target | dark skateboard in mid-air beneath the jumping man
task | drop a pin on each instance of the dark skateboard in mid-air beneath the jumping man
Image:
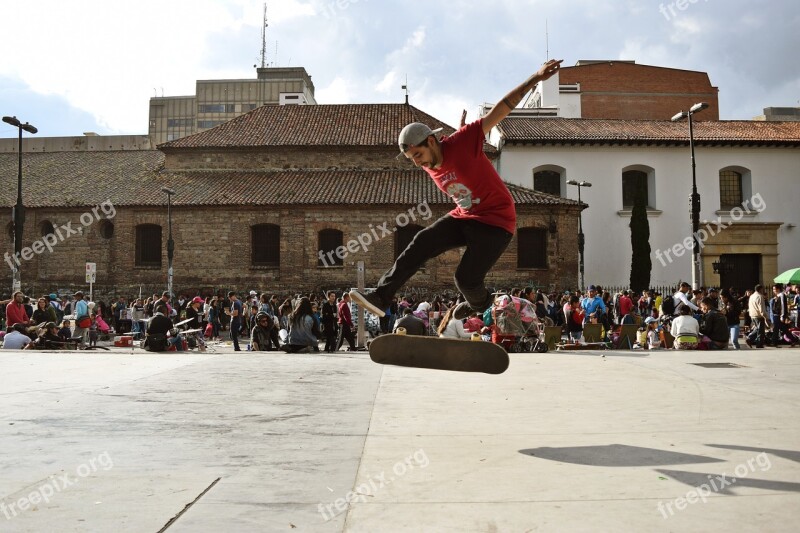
(439, 354)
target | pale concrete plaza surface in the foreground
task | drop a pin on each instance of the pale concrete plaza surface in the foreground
(123, 441)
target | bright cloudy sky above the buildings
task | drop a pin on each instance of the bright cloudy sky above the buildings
(92, 65)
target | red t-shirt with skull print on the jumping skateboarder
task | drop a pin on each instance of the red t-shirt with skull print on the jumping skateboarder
(468, 177)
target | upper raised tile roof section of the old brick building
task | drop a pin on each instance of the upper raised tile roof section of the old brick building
(311, 125)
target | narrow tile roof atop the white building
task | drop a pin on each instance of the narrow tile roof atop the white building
(531, 130)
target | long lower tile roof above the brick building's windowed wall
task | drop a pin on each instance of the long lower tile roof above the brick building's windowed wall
(135, 178)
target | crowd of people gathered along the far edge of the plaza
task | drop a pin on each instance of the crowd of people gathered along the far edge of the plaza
(699, 319)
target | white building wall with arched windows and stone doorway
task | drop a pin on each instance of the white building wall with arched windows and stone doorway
(775, 175)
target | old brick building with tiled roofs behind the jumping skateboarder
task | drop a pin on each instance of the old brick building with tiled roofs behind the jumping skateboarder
(261, 202)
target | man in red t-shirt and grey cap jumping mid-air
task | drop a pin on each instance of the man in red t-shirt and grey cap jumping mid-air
(484, 219)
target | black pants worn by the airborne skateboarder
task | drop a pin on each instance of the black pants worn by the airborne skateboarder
(485, 244)
